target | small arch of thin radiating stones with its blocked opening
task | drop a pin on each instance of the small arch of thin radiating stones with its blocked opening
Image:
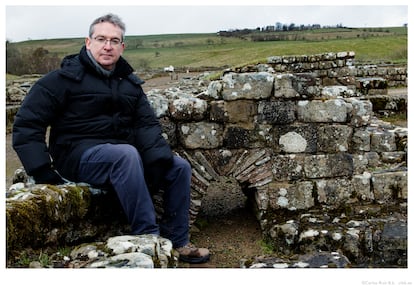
(224, 179)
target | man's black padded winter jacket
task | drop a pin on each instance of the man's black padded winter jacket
(84, 109)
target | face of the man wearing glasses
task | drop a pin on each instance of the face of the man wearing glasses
(106, 44)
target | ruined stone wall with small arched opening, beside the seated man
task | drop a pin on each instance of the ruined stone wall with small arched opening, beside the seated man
(306, 146)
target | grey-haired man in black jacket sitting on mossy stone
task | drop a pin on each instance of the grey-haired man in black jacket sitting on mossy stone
(103, 131)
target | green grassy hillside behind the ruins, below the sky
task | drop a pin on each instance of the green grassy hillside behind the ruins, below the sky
(200, 51)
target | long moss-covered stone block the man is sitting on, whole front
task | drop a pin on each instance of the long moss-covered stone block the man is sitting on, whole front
(40, 215)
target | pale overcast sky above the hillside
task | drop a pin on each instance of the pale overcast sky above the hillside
(25, 22)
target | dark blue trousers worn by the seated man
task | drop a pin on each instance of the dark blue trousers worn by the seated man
(121, 166)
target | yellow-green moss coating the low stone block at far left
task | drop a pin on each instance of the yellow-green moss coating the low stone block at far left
(30, 221)
